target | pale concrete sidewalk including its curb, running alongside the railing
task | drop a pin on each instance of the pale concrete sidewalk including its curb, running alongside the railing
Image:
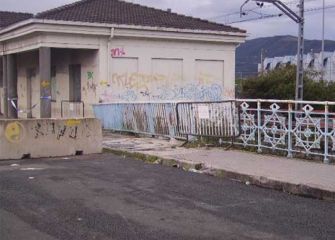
(290, 175)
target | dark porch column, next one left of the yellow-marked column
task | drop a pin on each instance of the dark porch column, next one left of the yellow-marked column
(12, 86)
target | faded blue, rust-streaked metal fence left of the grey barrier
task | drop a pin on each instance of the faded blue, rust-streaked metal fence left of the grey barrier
(144, 118)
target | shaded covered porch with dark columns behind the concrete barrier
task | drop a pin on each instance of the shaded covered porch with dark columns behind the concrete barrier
(48, 82)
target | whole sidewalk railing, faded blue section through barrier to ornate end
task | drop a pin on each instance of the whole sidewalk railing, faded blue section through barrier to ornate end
(295, 128)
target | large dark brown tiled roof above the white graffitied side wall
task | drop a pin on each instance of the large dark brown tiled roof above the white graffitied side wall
(121, 12)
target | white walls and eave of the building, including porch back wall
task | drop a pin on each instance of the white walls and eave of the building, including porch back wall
(127, 69)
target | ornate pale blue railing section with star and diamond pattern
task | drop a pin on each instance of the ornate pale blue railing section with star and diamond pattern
(306, 128)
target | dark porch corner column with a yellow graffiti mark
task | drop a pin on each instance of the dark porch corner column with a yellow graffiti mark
(45, 78)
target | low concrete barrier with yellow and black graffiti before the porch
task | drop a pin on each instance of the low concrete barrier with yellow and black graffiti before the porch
(49, 137)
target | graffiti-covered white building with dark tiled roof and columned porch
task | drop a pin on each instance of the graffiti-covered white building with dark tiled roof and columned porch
(97, 51)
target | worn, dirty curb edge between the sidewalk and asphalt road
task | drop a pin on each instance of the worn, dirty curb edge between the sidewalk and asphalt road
(295, 189)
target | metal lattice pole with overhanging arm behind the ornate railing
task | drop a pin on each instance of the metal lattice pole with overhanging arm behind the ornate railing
(299, 19)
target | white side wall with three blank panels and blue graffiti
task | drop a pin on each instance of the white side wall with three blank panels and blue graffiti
(143, 70)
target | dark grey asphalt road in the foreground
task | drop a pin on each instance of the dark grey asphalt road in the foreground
(110, 197)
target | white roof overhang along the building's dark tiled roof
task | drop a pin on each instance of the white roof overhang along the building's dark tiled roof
(114, 30)
